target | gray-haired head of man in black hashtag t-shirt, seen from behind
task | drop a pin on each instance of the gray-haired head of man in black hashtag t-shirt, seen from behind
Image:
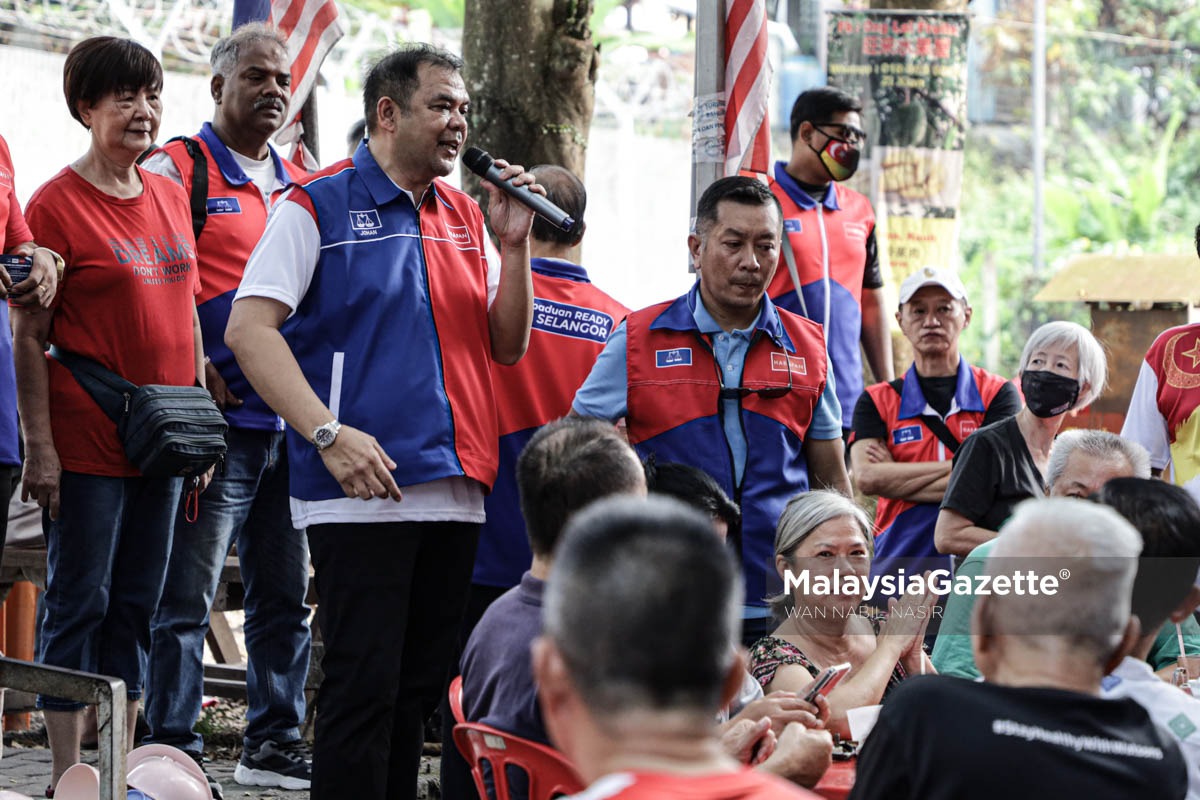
(1091, 609)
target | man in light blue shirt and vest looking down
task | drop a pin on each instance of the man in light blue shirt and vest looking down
(727, 382)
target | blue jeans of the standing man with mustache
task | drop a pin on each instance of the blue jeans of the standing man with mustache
(248, 504)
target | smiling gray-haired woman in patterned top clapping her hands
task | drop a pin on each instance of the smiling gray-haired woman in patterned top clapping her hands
(825, 538)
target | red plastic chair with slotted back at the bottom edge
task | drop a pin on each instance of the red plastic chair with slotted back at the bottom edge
(550, 774)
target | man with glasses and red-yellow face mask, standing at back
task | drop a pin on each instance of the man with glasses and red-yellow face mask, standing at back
(830, 242)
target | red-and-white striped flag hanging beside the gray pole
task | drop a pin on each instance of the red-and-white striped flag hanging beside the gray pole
(747, 88)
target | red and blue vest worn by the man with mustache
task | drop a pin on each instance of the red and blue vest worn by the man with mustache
(237, 216)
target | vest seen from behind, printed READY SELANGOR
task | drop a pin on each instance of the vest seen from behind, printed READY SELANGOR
(572, 322)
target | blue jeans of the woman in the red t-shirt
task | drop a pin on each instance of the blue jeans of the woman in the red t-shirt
(106, 562)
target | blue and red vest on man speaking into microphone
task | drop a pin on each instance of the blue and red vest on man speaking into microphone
(393, 332)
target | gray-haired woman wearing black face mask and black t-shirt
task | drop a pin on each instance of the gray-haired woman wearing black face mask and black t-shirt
(1063, 370)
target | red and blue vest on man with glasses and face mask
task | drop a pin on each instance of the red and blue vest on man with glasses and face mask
(830, 243)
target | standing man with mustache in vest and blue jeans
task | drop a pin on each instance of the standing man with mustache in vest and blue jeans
(231, 179)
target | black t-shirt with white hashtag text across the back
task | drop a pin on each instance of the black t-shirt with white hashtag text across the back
(941, 738)
